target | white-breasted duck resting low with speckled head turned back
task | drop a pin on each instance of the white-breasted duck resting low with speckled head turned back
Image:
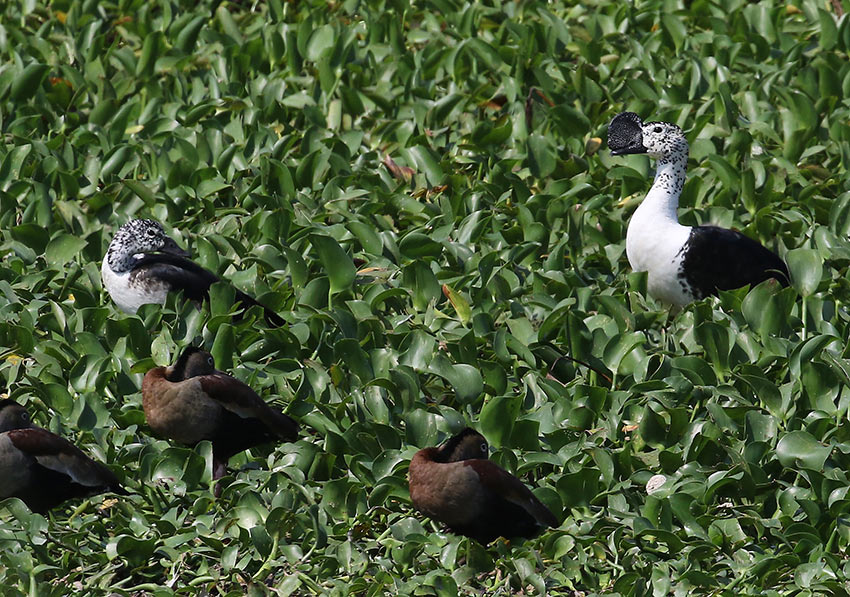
(143, 264)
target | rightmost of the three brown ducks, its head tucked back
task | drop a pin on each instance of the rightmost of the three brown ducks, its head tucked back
(456, 484)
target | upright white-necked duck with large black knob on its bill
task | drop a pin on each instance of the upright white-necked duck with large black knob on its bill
(684, 263)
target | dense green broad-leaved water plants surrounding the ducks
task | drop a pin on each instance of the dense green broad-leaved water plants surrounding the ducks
(419, 189)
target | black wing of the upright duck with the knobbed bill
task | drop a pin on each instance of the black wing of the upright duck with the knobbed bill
(716, 258)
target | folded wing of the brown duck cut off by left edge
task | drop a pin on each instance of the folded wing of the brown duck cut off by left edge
(59, 455)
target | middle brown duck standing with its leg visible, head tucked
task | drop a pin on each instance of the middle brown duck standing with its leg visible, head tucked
(191, 401)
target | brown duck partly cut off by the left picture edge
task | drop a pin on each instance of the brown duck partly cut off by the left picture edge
(43, 469)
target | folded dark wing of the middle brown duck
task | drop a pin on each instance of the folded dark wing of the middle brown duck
(241, 400)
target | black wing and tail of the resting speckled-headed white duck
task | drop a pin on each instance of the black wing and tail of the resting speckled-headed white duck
(183, 274)
